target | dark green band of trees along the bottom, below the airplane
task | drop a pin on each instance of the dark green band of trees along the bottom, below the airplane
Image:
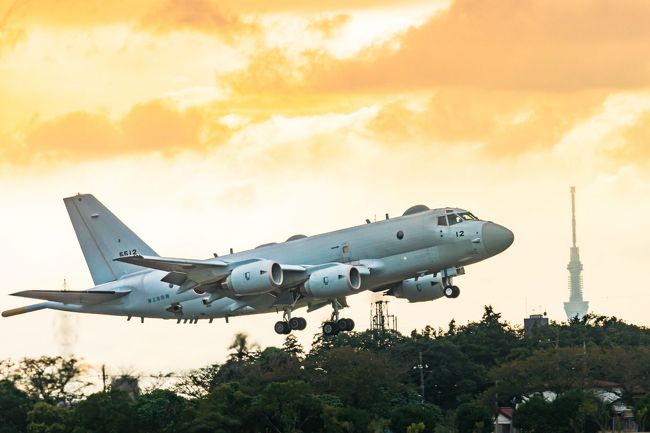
(360, 382)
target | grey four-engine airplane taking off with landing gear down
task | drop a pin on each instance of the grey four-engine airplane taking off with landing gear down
(415, 257)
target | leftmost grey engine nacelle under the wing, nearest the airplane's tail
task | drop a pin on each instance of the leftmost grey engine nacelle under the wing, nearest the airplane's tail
(255, 278)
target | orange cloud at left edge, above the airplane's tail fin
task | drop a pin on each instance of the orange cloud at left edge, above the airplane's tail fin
(151, 127)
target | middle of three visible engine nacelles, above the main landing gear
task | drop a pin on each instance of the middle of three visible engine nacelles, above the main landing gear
(332, 282)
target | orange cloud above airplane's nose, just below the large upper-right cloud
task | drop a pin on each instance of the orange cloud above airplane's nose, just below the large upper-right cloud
(499, 123)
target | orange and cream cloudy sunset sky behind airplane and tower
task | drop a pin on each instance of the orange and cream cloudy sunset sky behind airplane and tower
(206, 125)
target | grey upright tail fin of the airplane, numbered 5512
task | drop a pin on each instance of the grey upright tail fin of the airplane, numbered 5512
(103, 237)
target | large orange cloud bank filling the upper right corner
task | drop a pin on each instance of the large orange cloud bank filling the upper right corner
(497, 44)
